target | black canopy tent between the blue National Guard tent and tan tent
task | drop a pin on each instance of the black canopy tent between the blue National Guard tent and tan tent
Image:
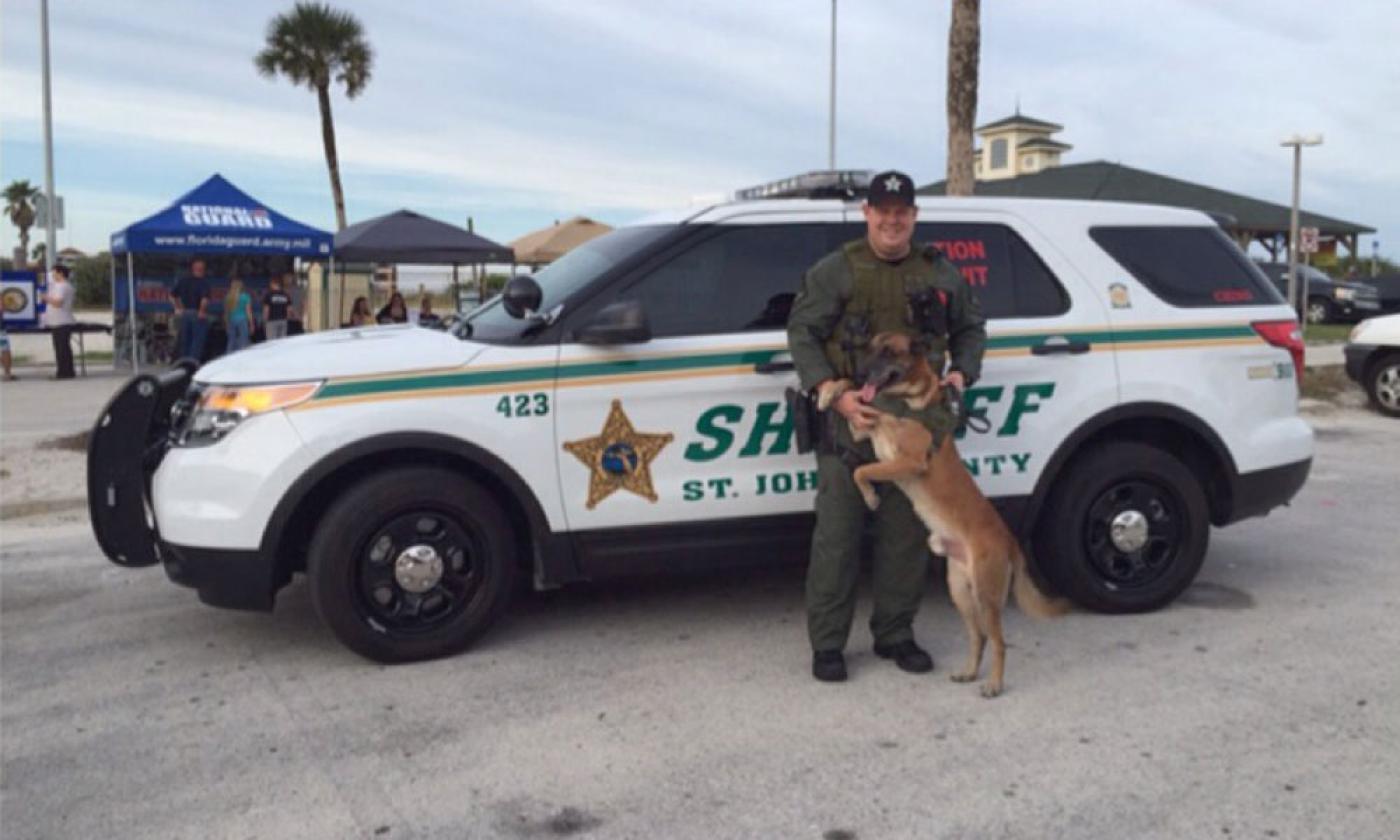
(408, 237)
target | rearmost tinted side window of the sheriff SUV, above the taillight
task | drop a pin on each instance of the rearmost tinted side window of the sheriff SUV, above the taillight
(1188, 267)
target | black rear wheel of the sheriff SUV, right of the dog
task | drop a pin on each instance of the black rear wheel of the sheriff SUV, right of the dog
(1126, 530)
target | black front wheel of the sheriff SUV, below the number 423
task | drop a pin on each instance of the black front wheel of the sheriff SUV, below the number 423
(412, 563)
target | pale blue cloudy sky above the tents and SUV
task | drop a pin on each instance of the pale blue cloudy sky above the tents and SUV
(517, 114)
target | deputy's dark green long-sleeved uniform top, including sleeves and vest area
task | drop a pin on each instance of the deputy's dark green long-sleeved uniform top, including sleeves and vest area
(853, 282)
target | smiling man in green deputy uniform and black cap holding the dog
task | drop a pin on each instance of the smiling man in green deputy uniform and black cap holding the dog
(881, 283)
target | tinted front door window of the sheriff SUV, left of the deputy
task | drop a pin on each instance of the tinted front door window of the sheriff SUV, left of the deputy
(741, 279)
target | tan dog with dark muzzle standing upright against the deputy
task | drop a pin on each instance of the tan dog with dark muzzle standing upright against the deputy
(985, 562)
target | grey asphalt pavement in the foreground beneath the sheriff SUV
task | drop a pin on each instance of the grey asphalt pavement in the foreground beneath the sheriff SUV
(1265, 703)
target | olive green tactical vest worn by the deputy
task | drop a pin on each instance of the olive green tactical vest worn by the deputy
(885, 297)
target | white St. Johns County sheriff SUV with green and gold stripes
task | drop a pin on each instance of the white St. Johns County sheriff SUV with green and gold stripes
(624, 414)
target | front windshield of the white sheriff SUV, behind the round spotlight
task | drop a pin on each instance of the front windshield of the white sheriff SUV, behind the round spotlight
(562, 279)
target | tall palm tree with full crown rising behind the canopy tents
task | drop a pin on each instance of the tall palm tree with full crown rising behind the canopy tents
(316, 45)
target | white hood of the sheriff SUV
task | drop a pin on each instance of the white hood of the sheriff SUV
(341, 353)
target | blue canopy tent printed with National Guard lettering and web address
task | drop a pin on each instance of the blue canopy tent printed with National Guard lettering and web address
(213, 219)
